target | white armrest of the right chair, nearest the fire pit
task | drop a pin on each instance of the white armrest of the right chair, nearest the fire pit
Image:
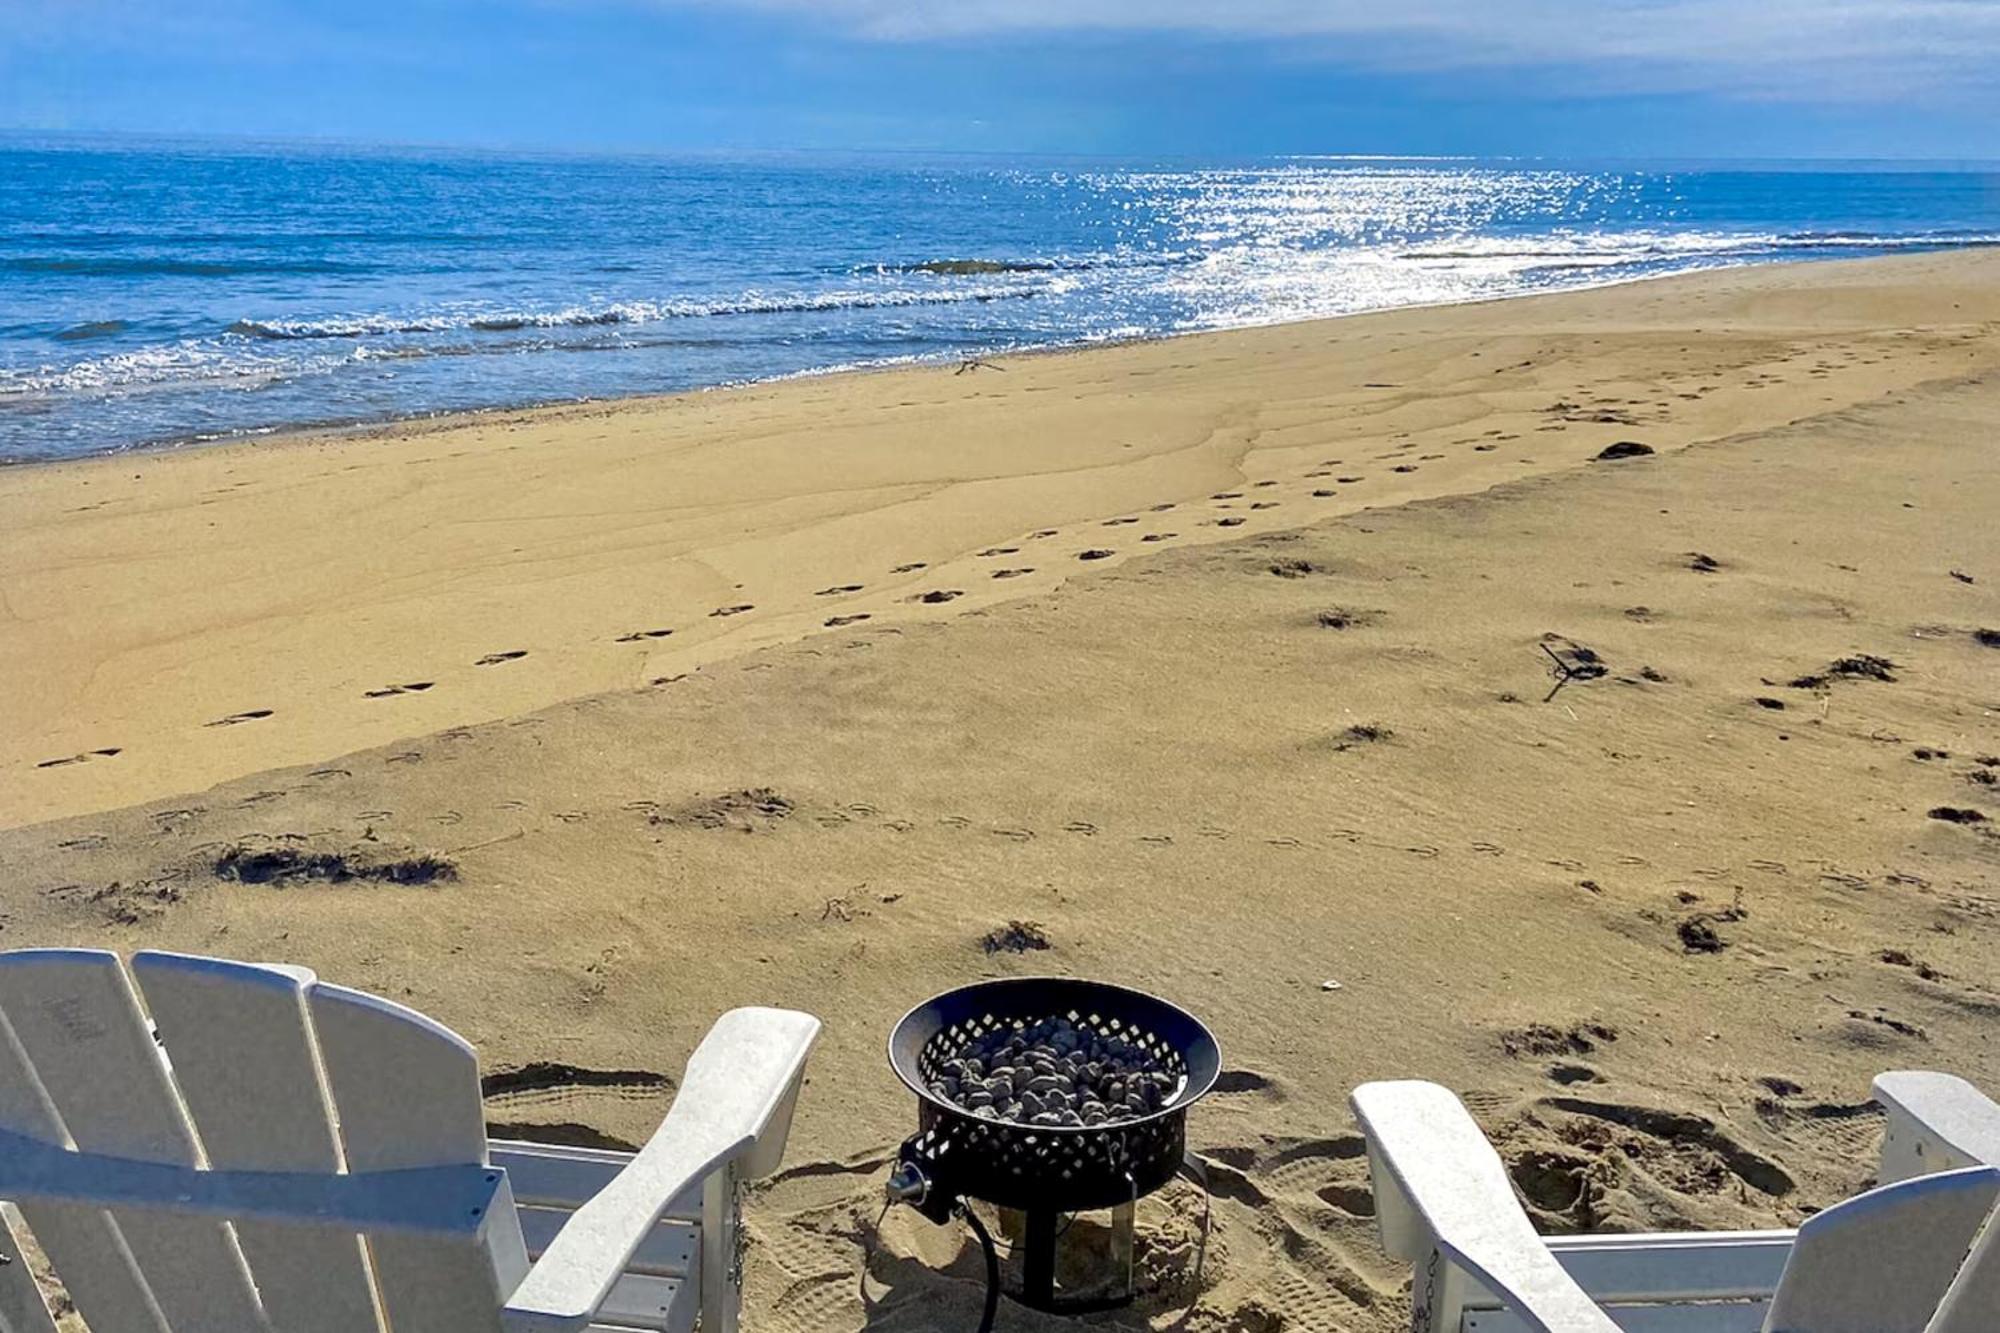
(1441, 1188)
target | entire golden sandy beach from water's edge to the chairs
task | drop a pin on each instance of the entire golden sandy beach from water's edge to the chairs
(1659, 930)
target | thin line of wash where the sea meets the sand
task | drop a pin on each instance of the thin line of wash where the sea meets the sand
(373, 427)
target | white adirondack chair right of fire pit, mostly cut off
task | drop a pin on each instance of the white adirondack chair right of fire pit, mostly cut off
(1917, 1256)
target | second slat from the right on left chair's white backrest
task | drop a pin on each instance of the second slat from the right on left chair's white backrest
(243, 1056)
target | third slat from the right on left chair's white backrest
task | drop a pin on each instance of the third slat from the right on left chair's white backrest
(81, 1028)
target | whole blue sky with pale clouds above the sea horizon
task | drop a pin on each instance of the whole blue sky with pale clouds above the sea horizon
(1577, 79)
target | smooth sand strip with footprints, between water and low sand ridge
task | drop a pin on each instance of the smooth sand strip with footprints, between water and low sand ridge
(185, 617)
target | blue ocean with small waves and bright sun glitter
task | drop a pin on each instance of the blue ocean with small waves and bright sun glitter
(161, 293)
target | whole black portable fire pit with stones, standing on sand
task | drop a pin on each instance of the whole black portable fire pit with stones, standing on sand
(1047, 1098)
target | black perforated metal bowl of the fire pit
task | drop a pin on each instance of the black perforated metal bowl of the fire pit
(1049, 1168)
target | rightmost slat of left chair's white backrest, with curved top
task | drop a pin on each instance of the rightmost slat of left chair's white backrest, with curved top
(407, 1094)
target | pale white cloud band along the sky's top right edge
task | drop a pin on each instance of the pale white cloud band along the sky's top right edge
(1833, 49)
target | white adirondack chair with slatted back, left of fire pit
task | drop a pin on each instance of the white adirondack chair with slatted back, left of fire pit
(279, 1156)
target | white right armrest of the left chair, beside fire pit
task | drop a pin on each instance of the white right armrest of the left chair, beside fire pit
(735, 1104)
